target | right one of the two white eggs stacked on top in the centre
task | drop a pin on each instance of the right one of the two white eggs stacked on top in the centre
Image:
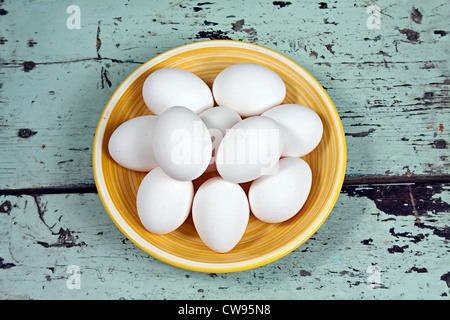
(250, 149)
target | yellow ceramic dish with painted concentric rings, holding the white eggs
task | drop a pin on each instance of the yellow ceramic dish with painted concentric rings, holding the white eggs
(262, 242)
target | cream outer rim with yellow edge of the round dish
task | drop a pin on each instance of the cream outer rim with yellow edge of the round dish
(186, 263)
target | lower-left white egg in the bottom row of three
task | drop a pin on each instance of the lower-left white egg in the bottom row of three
(163, 204)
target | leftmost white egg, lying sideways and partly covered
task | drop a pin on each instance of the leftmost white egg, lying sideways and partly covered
(130, 145)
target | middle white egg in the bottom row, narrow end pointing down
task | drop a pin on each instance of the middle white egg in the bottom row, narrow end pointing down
(220, 213)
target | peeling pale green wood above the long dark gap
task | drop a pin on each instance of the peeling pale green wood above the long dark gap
(390, 85)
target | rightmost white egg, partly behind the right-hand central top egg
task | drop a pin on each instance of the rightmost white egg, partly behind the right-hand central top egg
(302, 128)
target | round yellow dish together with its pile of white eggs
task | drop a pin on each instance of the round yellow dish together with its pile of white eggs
(219, 156)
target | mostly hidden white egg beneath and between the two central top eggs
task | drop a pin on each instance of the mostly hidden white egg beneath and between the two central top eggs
(218, 120)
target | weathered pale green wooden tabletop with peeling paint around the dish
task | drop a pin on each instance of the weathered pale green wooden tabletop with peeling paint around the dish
(388, 236)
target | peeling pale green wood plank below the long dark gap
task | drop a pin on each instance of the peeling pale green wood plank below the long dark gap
(396, 236)
